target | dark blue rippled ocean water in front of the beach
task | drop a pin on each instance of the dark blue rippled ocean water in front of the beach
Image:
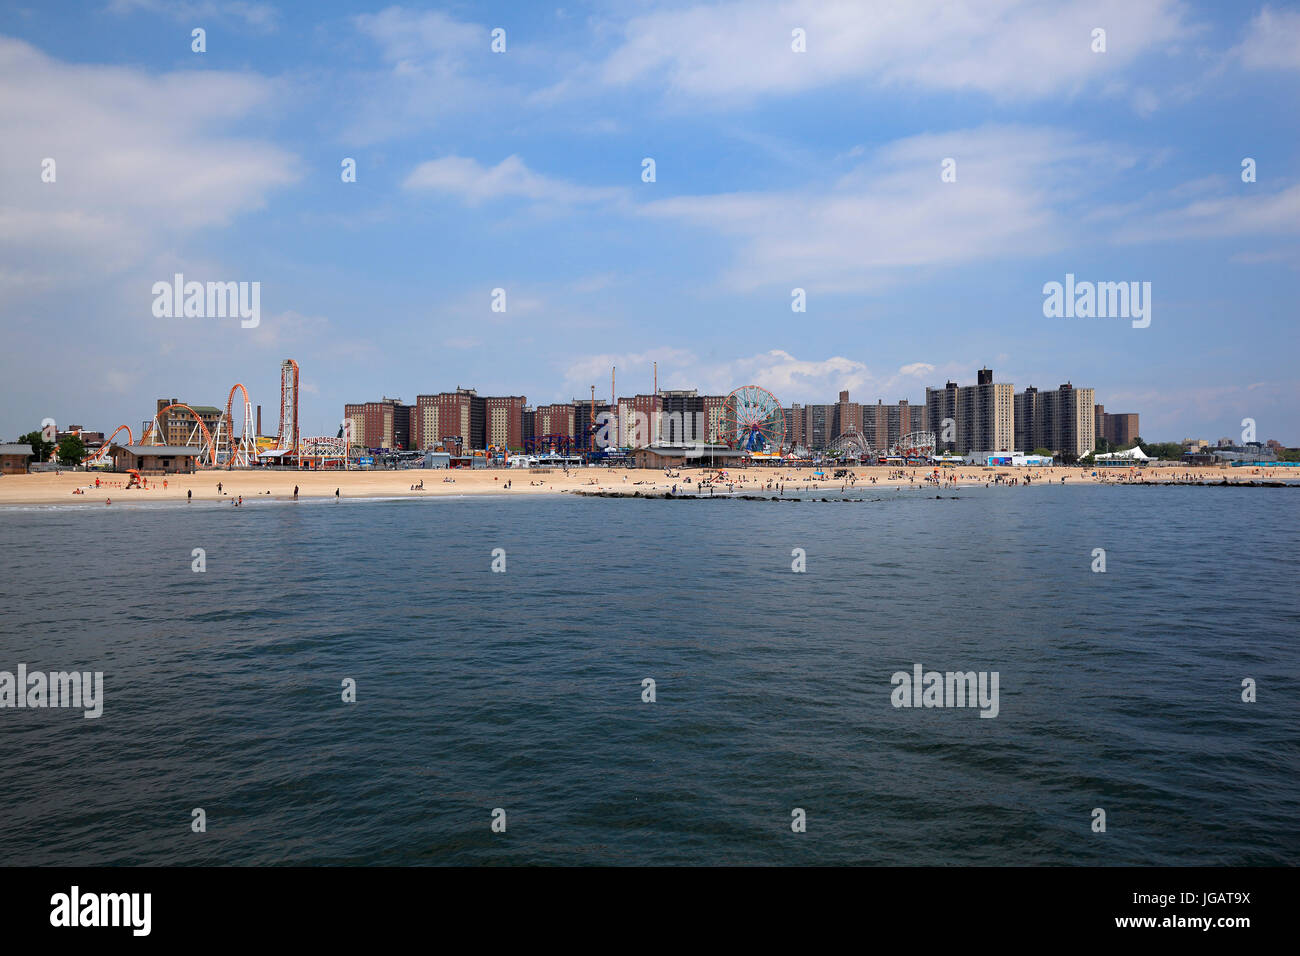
(523, 690)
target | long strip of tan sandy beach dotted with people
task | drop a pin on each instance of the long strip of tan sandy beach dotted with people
(79, 488)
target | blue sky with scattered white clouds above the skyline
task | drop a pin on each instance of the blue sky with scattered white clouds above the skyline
(775, 171)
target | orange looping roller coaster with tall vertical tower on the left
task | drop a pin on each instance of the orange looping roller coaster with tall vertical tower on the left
(222, 448)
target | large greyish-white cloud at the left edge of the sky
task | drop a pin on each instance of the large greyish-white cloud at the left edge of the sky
(141, 161)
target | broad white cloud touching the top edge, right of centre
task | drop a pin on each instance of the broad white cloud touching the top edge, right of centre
(1007, 49)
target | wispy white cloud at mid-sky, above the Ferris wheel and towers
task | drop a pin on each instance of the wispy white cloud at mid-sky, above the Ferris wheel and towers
(1013, 196)
